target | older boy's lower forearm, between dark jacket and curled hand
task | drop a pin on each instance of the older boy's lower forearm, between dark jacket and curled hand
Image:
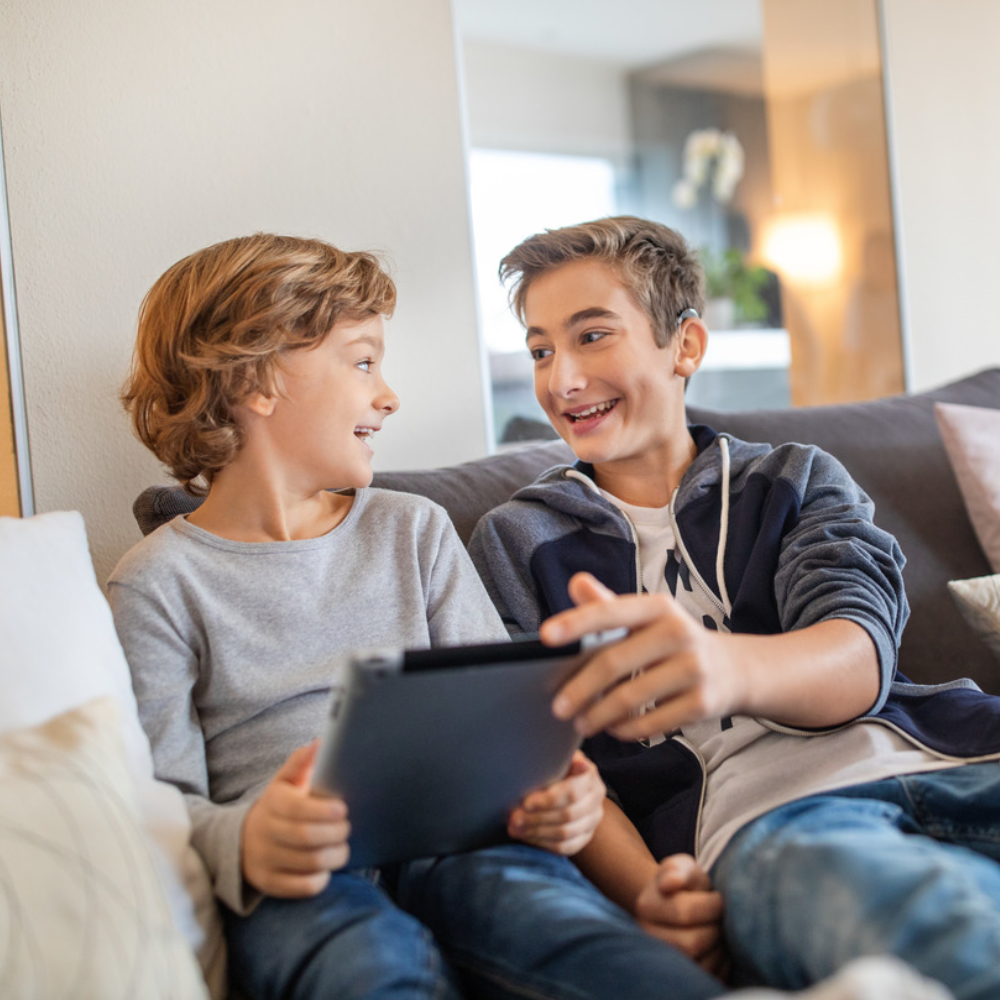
(617, 859)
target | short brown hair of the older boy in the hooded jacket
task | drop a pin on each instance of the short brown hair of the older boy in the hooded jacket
(659, 269)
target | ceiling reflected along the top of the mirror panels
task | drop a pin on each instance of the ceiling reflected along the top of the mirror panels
(704, 44)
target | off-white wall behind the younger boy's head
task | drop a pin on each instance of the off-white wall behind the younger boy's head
(136, 131)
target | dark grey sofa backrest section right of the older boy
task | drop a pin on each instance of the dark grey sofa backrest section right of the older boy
(893, 449)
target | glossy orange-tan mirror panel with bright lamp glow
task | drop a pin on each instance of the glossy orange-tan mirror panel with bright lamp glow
(830, 233)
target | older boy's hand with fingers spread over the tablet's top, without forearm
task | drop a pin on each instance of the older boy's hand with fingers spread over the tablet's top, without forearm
(668, 665)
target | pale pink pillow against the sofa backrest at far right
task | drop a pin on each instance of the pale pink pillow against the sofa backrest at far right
(971, 437)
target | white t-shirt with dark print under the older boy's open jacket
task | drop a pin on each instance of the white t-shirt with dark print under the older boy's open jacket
(750, 769)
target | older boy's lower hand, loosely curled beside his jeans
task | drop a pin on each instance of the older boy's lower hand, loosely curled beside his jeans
(680, 907)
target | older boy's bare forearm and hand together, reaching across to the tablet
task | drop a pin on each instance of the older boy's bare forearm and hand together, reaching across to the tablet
(819, 676)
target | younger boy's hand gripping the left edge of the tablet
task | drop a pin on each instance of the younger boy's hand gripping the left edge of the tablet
(293, 839)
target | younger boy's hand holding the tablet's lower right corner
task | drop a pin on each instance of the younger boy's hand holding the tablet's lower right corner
(563, 816)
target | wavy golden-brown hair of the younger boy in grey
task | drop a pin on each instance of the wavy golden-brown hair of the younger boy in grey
(212, 331)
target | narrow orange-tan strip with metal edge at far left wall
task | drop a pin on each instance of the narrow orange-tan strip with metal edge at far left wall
(15, 480)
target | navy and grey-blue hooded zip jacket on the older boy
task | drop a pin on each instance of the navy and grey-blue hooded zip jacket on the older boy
(798, 545)
